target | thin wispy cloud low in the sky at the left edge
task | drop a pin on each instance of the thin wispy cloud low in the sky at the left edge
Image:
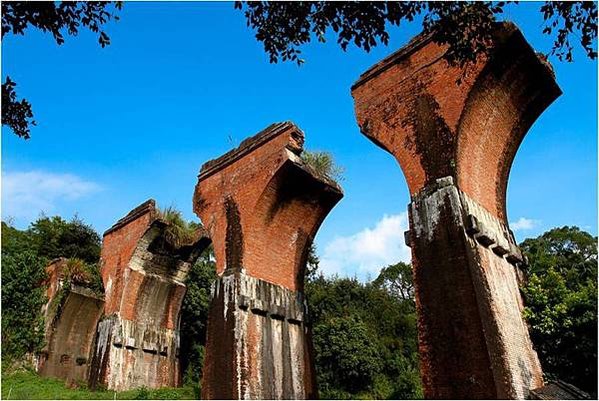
(27, 193)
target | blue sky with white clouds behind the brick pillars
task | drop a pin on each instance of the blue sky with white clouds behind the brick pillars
(183, 83)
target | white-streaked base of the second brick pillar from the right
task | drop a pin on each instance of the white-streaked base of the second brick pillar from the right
(257, 342)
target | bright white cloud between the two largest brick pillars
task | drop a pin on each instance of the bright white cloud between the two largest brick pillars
(366, 252)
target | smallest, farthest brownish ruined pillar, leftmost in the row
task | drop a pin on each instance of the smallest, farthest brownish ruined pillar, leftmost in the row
(71, 317)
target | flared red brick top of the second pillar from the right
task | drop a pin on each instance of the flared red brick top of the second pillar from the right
(262, 206)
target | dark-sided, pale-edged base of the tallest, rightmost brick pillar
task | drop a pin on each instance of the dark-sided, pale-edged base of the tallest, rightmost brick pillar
(468, 299)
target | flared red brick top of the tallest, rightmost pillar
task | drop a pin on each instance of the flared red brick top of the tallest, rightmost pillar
(465, 122)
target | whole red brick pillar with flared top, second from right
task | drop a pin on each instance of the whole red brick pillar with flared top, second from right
(262, 206)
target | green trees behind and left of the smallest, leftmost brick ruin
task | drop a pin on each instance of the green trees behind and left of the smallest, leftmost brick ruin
(25, 255)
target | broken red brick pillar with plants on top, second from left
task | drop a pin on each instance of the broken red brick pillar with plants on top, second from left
(137, 341)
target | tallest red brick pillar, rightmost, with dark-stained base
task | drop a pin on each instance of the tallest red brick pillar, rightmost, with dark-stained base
(455, 144)
